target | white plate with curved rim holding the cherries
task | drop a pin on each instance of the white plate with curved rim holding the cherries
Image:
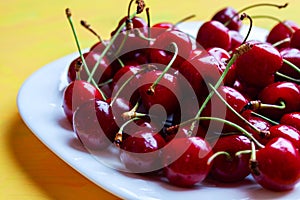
(39, 102)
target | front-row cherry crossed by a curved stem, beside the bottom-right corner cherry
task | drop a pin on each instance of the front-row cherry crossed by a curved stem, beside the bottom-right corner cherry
(233, 168)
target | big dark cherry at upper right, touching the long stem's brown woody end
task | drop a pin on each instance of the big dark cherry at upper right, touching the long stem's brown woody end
(257, 66)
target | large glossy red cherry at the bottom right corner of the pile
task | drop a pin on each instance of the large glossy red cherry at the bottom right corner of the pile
(278, 165)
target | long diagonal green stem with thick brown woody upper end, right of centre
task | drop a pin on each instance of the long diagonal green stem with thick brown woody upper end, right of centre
(238, 52)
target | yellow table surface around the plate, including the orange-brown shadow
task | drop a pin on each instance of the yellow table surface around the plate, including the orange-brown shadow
(34, 33)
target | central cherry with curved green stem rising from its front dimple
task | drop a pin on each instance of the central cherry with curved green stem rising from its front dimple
(166, 93)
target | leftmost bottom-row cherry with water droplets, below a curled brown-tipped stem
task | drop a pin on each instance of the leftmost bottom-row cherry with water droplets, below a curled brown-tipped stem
(141, 151)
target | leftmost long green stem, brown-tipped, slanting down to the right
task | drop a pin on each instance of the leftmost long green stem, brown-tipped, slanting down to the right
(69, 16)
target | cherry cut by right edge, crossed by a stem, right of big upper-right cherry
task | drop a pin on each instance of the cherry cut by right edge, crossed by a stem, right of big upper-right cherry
(292, 55)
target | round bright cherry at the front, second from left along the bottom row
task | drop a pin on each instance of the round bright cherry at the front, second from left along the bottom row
(186, 161)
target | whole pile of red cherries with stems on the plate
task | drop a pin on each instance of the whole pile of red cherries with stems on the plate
(192, 109)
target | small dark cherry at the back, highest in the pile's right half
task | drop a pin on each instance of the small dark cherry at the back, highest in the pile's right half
(228, 14)
